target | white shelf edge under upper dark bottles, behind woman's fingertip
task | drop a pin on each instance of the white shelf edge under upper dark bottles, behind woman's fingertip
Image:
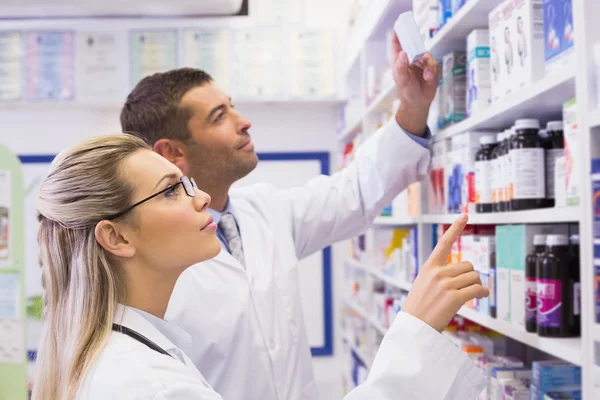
(538, 216)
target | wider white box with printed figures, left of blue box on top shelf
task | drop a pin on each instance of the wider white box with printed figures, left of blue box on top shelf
(524, 27)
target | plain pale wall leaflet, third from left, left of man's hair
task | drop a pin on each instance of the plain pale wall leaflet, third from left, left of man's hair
(99, 67)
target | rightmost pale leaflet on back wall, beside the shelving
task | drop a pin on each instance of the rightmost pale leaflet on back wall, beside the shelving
(312, 63)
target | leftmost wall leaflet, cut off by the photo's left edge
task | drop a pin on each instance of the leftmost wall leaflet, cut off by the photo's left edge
(11, 66)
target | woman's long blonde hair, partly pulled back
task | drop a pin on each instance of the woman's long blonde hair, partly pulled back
(82, 286)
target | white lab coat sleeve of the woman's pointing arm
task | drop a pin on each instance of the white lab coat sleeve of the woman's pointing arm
(415, 362)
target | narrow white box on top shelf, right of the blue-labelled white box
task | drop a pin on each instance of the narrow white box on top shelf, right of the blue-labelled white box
(498, 57)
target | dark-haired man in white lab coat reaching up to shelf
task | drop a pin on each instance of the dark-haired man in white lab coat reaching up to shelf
(243, 308)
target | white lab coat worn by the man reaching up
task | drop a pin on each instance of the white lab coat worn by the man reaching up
(250, 342)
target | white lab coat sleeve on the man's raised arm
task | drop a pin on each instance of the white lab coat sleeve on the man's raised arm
(333, 208)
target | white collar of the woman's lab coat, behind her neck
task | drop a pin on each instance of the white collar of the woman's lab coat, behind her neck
(166, 335)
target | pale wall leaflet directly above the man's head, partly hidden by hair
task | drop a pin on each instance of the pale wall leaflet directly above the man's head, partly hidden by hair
(210, 51)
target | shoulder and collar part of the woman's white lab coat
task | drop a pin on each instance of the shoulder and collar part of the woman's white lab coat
(129, 370)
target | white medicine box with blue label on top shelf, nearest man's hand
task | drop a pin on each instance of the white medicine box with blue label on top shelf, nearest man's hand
(479, 90)
